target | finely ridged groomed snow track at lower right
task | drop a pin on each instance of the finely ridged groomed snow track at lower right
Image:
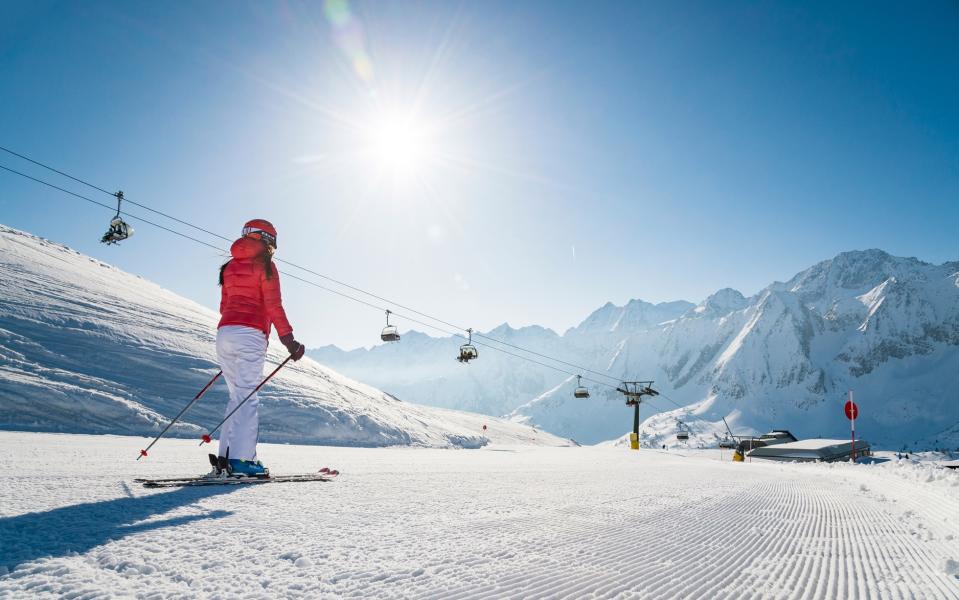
(790, 539)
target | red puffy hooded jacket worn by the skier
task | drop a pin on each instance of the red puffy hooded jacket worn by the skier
(248, 297)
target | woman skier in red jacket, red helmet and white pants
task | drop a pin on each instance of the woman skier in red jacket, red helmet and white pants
(250, 306)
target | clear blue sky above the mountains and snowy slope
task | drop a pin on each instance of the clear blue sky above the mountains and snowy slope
(552, 155)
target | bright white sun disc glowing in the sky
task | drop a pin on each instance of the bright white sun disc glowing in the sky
(400, 144)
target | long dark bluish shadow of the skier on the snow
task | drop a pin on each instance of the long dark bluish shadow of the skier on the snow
(81, 527)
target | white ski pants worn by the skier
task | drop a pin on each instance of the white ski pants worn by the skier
(241, 351)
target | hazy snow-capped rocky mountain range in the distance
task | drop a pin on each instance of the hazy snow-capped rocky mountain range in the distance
(883, 326)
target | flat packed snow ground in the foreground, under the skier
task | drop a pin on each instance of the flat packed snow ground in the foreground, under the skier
(503, 521)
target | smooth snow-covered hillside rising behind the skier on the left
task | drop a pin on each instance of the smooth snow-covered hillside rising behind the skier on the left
(85, 347)
